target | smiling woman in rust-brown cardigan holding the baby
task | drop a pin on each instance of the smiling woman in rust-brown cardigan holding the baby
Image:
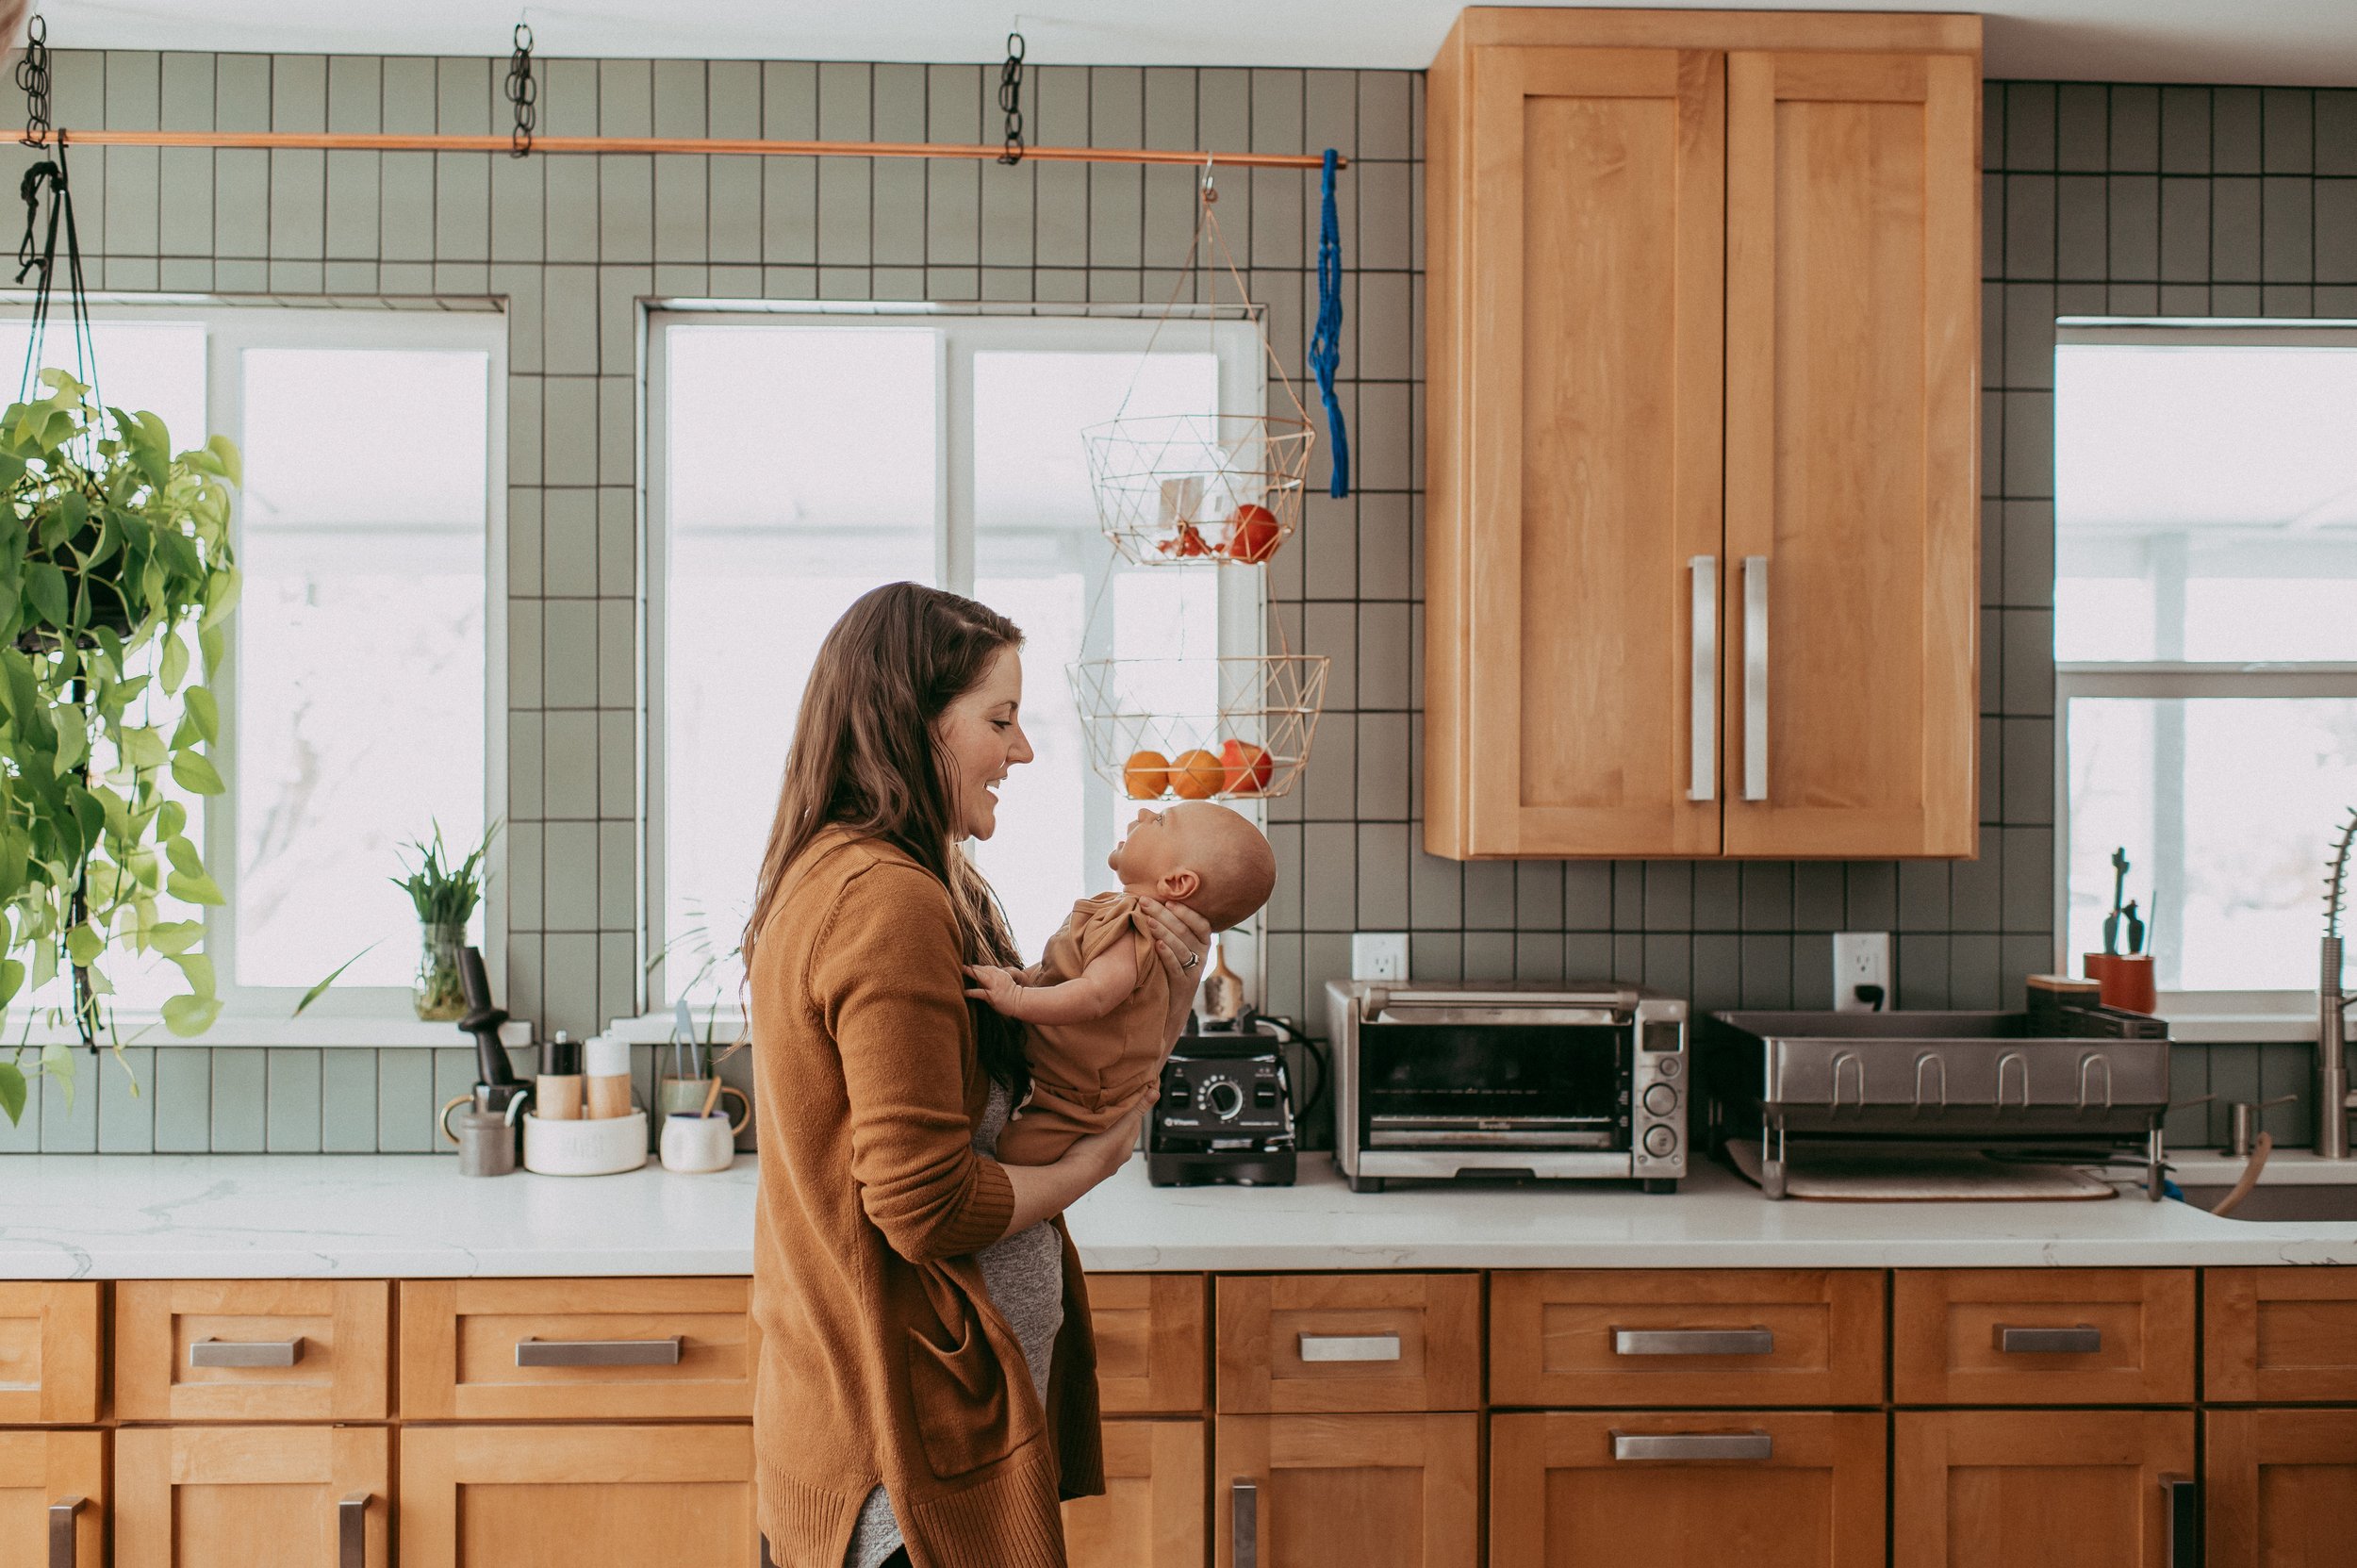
(927, 1373)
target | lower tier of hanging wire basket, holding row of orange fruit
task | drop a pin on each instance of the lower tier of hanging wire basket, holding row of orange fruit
(1201, 727)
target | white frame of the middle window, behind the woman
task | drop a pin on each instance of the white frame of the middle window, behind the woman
(960, 336)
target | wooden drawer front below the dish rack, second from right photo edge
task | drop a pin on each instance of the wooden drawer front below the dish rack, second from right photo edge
(1950, 1333)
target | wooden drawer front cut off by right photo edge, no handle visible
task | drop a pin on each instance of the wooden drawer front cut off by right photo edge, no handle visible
(2280, 1336)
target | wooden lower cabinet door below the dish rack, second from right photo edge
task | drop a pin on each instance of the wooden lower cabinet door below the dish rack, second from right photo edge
(2038, 1489)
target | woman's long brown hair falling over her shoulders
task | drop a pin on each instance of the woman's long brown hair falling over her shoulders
(866, 758)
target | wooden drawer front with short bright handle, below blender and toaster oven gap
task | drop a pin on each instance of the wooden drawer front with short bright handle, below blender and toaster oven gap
(1349, 1343)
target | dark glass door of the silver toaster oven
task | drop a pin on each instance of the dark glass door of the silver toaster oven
(1521, 1086)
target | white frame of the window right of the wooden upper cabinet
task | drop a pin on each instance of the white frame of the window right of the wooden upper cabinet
(2196, 1015)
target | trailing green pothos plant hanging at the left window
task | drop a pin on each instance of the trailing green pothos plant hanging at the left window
(114, 560)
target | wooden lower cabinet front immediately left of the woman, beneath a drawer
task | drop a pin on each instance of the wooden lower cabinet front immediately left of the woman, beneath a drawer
(567, 1496)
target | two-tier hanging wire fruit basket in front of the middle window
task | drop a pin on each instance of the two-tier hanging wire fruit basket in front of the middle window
(1203, 489)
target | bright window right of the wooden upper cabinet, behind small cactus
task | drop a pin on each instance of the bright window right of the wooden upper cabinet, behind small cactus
(2207, 659)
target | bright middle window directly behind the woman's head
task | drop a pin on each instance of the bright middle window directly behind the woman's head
(803, 461)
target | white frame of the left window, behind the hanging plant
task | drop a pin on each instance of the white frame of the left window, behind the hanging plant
(345, 1015)
